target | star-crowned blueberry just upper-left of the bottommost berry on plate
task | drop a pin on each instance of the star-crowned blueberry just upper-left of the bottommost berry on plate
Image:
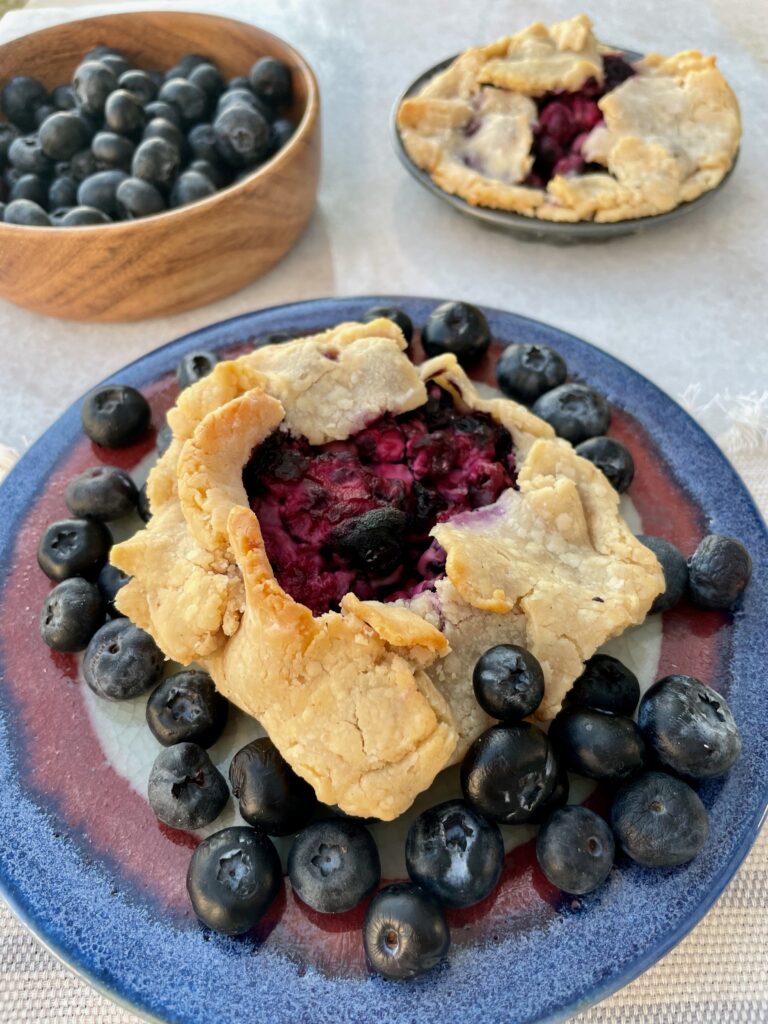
(333, 865)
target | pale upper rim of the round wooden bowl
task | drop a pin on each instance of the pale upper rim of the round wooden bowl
(308, 121)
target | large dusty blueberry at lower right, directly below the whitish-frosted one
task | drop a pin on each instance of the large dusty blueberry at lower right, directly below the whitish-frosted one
(660, 822)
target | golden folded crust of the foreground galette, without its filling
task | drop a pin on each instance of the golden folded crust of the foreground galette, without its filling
(370, 703)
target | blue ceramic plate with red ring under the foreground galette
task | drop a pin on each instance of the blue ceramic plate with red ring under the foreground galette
(86, 865)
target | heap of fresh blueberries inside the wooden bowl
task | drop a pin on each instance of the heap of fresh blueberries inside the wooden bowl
(119, 143)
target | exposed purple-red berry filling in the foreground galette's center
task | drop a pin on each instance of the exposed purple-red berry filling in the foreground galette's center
(356, 516)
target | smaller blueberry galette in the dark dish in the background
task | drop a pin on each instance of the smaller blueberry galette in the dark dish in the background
(549, 123)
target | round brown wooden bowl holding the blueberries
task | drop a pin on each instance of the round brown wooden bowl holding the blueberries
(189, 257)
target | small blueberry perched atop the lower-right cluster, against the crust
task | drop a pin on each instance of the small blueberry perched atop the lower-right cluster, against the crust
(508, 682)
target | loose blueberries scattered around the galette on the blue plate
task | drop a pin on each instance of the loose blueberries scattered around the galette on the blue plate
(515, 774)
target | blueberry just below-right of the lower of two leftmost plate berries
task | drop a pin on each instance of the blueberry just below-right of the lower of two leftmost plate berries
(122, 662)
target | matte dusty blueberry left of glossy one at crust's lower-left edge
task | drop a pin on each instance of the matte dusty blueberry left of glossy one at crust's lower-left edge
(187, 791)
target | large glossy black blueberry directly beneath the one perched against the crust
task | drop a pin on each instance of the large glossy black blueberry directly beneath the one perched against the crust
(509, 773)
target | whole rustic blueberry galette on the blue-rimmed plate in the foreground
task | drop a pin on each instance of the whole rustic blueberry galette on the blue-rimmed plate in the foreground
(337, 536)
